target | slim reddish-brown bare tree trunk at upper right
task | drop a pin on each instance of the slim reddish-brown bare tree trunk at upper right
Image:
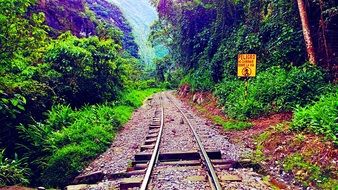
(306, 31)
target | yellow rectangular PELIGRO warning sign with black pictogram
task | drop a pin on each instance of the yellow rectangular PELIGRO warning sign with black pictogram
(246, 65)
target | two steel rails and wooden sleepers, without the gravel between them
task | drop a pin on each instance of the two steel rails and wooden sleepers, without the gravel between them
(182, 158)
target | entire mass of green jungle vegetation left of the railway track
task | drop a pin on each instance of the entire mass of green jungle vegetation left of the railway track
(62, 97)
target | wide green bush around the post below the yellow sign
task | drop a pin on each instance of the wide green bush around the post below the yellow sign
(273, 90)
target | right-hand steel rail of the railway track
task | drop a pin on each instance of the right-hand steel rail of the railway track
(211, 169)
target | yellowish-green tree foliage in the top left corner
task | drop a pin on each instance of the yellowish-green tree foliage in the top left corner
(22, 37)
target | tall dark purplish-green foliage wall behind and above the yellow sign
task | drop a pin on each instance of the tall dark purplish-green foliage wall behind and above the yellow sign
(229, 28)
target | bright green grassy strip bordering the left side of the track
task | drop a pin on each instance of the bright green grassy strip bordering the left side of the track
(65, 143)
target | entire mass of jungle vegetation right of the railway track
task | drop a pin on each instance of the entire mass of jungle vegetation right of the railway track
(204, 38)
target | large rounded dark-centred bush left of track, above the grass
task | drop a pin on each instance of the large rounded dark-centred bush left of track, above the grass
(87, 70)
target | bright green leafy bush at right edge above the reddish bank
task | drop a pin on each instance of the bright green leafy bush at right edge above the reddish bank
(319, 118)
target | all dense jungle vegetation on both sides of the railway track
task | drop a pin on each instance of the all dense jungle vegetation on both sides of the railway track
(66, 88)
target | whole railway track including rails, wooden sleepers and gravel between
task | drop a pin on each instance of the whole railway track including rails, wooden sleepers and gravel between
(154, 160)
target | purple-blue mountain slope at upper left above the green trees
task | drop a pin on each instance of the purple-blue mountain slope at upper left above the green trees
(75, 16)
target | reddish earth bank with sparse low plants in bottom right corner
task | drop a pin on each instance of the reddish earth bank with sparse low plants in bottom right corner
(296, 158)
